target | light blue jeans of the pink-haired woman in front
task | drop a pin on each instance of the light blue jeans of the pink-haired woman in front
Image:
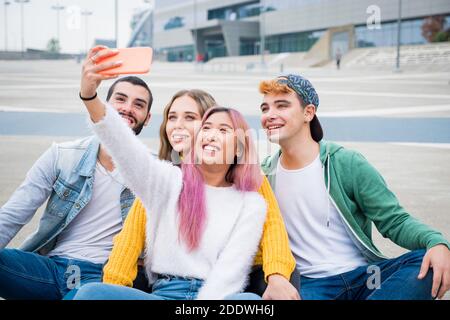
(170, 288)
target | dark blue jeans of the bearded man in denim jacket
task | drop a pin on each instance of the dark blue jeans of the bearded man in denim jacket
(30, 276)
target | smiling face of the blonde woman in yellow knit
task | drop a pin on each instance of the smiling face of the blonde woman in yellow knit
(183, 122)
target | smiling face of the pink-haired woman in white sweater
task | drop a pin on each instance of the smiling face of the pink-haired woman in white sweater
(216, 141)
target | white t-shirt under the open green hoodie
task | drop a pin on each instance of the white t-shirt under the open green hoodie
(319, 250)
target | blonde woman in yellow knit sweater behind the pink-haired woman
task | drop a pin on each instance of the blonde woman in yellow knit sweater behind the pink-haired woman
(273, 263)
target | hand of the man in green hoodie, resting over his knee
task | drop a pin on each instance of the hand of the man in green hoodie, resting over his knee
(438, 258)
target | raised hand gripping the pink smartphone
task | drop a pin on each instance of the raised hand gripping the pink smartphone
(90, 78)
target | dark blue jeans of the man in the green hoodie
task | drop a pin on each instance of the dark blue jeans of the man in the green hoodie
(397, 281)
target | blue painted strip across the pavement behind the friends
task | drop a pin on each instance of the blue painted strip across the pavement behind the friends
(367, 129)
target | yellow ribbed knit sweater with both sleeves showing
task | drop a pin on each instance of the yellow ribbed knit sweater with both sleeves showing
(274, 253)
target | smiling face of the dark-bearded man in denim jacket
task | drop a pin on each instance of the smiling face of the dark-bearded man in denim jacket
(131, 101)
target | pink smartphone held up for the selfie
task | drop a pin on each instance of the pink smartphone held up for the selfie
(136, 60)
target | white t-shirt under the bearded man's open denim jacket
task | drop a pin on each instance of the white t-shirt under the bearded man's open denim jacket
(90, 235)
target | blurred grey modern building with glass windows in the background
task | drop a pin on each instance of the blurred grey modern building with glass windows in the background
(184, 30)
